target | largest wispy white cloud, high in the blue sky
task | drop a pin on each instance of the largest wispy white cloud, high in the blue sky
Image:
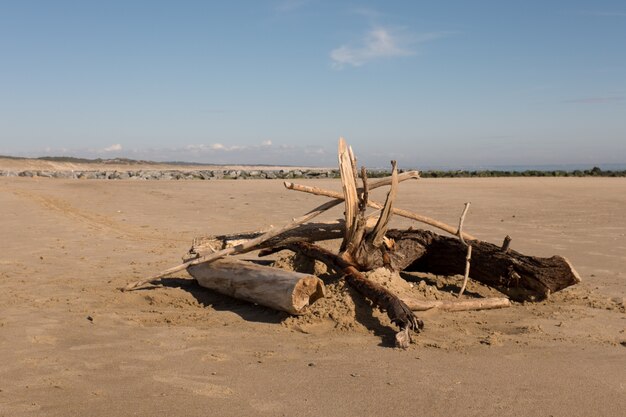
(378, 43)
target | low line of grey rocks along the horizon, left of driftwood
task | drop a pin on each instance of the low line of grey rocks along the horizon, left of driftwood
(175, 174)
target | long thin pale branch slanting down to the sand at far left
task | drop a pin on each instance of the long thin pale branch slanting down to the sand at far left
(238, 248)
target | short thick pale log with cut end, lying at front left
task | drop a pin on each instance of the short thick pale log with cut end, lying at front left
(279, 289)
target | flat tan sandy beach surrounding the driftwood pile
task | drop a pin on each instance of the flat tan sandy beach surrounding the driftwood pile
(71, 344)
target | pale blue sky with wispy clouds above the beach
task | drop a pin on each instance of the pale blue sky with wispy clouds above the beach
(450, 83)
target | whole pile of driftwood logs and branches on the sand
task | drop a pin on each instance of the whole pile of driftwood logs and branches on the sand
(367, 244)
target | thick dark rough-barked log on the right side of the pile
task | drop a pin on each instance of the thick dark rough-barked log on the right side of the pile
(517, 275)
